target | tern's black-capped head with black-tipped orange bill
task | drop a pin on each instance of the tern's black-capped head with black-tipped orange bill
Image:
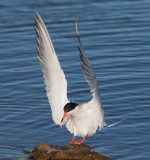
(68, 109)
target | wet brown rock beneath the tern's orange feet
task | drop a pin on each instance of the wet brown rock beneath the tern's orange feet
(44, 151)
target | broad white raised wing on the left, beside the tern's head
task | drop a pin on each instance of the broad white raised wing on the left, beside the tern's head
(54, 78)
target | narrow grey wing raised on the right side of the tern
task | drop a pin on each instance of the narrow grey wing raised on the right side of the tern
(91, 80)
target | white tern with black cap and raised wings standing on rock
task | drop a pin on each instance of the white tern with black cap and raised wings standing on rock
(80, 119)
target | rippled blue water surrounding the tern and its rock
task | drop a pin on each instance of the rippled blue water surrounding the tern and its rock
(116, 37)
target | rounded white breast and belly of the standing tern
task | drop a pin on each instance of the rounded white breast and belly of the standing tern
(84, 121)
